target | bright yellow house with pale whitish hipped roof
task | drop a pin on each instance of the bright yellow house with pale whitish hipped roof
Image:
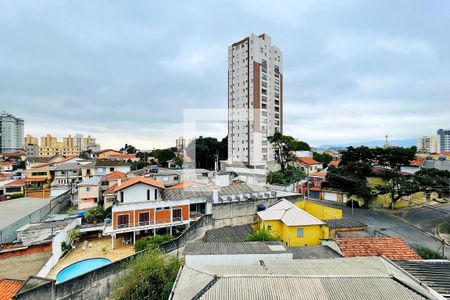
(294, 226)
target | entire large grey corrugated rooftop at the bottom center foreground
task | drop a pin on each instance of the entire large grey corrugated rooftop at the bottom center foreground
(328, 279)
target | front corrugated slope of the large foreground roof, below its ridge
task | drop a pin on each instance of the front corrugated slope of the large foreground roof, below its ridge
(326, 288)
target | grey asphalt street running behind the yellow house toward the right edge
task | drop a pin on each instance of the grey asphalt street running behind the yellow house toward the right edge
(392, 226)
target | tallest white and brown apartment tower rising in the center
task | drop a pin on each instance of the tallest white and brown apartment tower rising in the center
(255, 99)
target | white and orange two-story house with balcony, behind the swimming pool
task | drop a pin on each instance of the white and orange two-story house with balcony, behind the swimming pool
(141, 209)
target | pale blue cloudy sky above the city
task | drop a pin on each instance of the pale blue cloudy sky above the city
(125, 71)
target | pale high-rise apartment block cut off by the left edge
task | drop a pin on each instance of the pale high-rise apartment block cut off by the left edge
(11, 133)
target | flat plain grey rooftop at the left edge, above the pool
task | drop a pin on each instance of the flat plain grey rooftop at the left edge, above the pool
(14, 210)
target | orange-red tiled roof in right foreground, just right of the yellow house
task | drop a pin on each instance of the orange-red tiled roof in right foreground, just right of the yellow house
(392, 248)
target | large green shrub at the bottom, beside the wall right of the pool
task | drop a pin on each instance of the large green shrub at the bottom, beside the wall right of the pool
(149, 276)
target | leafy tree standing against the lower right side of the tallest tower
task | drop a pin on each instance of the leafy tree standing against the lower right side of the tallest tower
(284, 147)
